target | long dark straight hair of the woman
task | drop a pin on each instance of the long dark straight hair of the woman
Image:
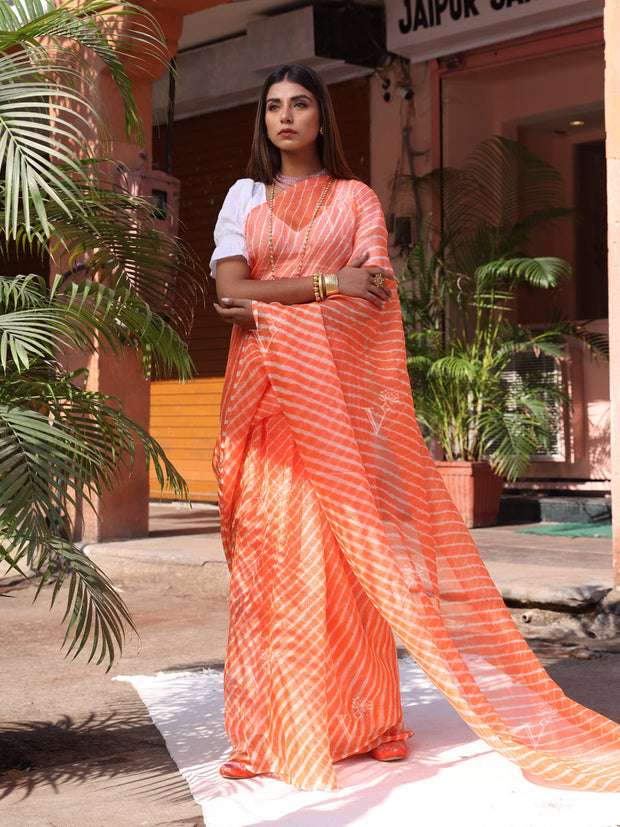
(265, 157)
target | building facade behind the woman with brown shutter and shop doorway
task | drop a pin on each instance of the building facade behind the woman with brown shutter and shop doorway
(417, 86)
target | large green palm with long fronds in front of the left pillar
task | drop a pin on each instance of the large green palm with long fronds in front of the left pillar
(127, 289)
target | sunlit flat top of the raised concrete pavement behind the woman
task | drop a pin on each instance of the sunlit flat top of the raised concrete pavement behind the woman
(185, 539)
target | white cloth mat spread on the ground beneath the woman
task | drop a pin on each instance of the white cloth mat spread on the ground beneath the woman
(450, 776)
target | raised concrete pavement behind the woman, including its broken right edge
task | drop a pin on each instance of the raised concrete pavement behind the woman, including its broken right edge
(563, 584)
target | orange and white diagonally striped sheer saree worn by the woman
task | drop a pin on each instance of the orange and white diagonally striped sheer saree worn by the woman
(337, 526)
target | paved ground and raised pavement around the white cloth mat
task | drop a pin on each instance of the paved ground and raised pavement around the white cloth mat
(77, 749)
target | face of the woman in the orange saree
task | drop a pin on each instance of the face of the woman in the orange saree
(292, 117)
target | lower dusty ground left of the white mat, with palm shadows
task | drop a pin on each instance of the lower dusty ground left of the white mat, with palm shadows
(79, 749)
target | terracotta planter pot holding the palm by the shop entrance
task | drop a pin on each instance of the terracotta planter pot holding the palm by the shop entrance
(475, 489)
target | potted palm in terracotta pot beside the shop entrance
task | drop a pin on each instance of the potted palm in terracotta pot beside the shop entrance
(465, 343)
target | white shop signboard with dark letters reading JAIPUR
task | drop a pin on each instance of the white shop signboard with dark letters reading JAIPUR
(423, 29)
